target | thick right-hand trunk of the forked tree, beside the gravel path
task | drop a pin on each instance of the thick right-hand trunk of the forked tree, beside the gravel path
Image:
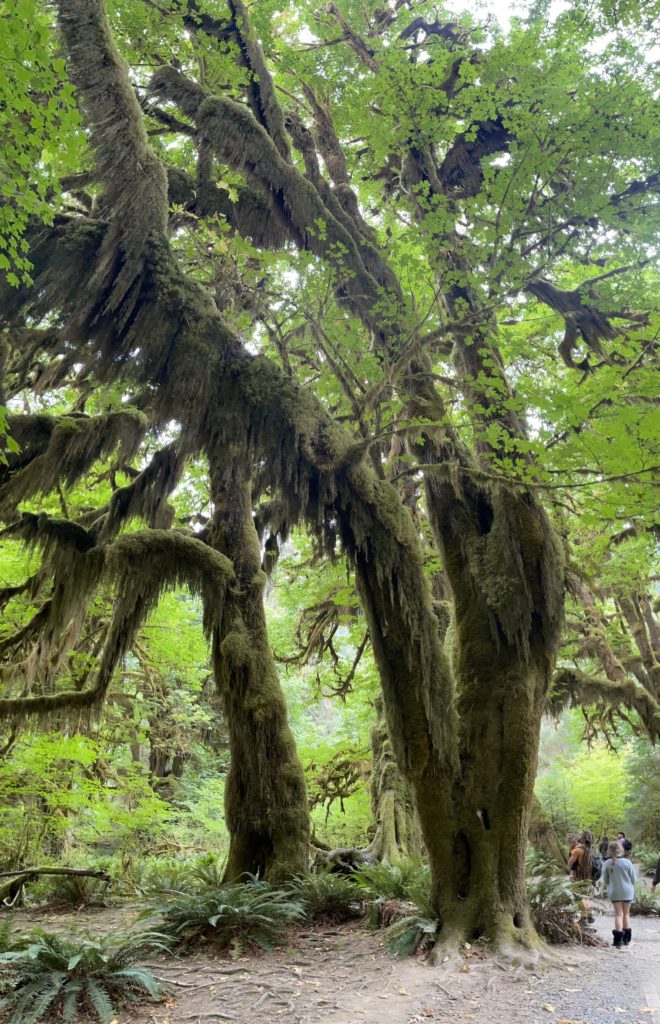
(506, 574)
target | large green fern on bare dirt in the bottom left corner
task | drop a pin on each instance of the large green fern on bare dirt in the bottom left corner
(65, 977)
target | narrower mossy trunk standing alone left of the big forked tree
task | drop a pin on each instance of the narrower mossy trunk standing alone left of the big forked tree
(266, 795)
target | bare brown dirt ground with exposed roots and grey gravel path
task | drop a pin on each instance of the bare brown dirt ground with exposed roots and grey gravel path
(344, 975)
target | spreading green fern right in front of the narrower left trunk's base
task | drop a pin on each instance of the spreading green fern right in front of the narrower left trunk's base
(236, 916)
